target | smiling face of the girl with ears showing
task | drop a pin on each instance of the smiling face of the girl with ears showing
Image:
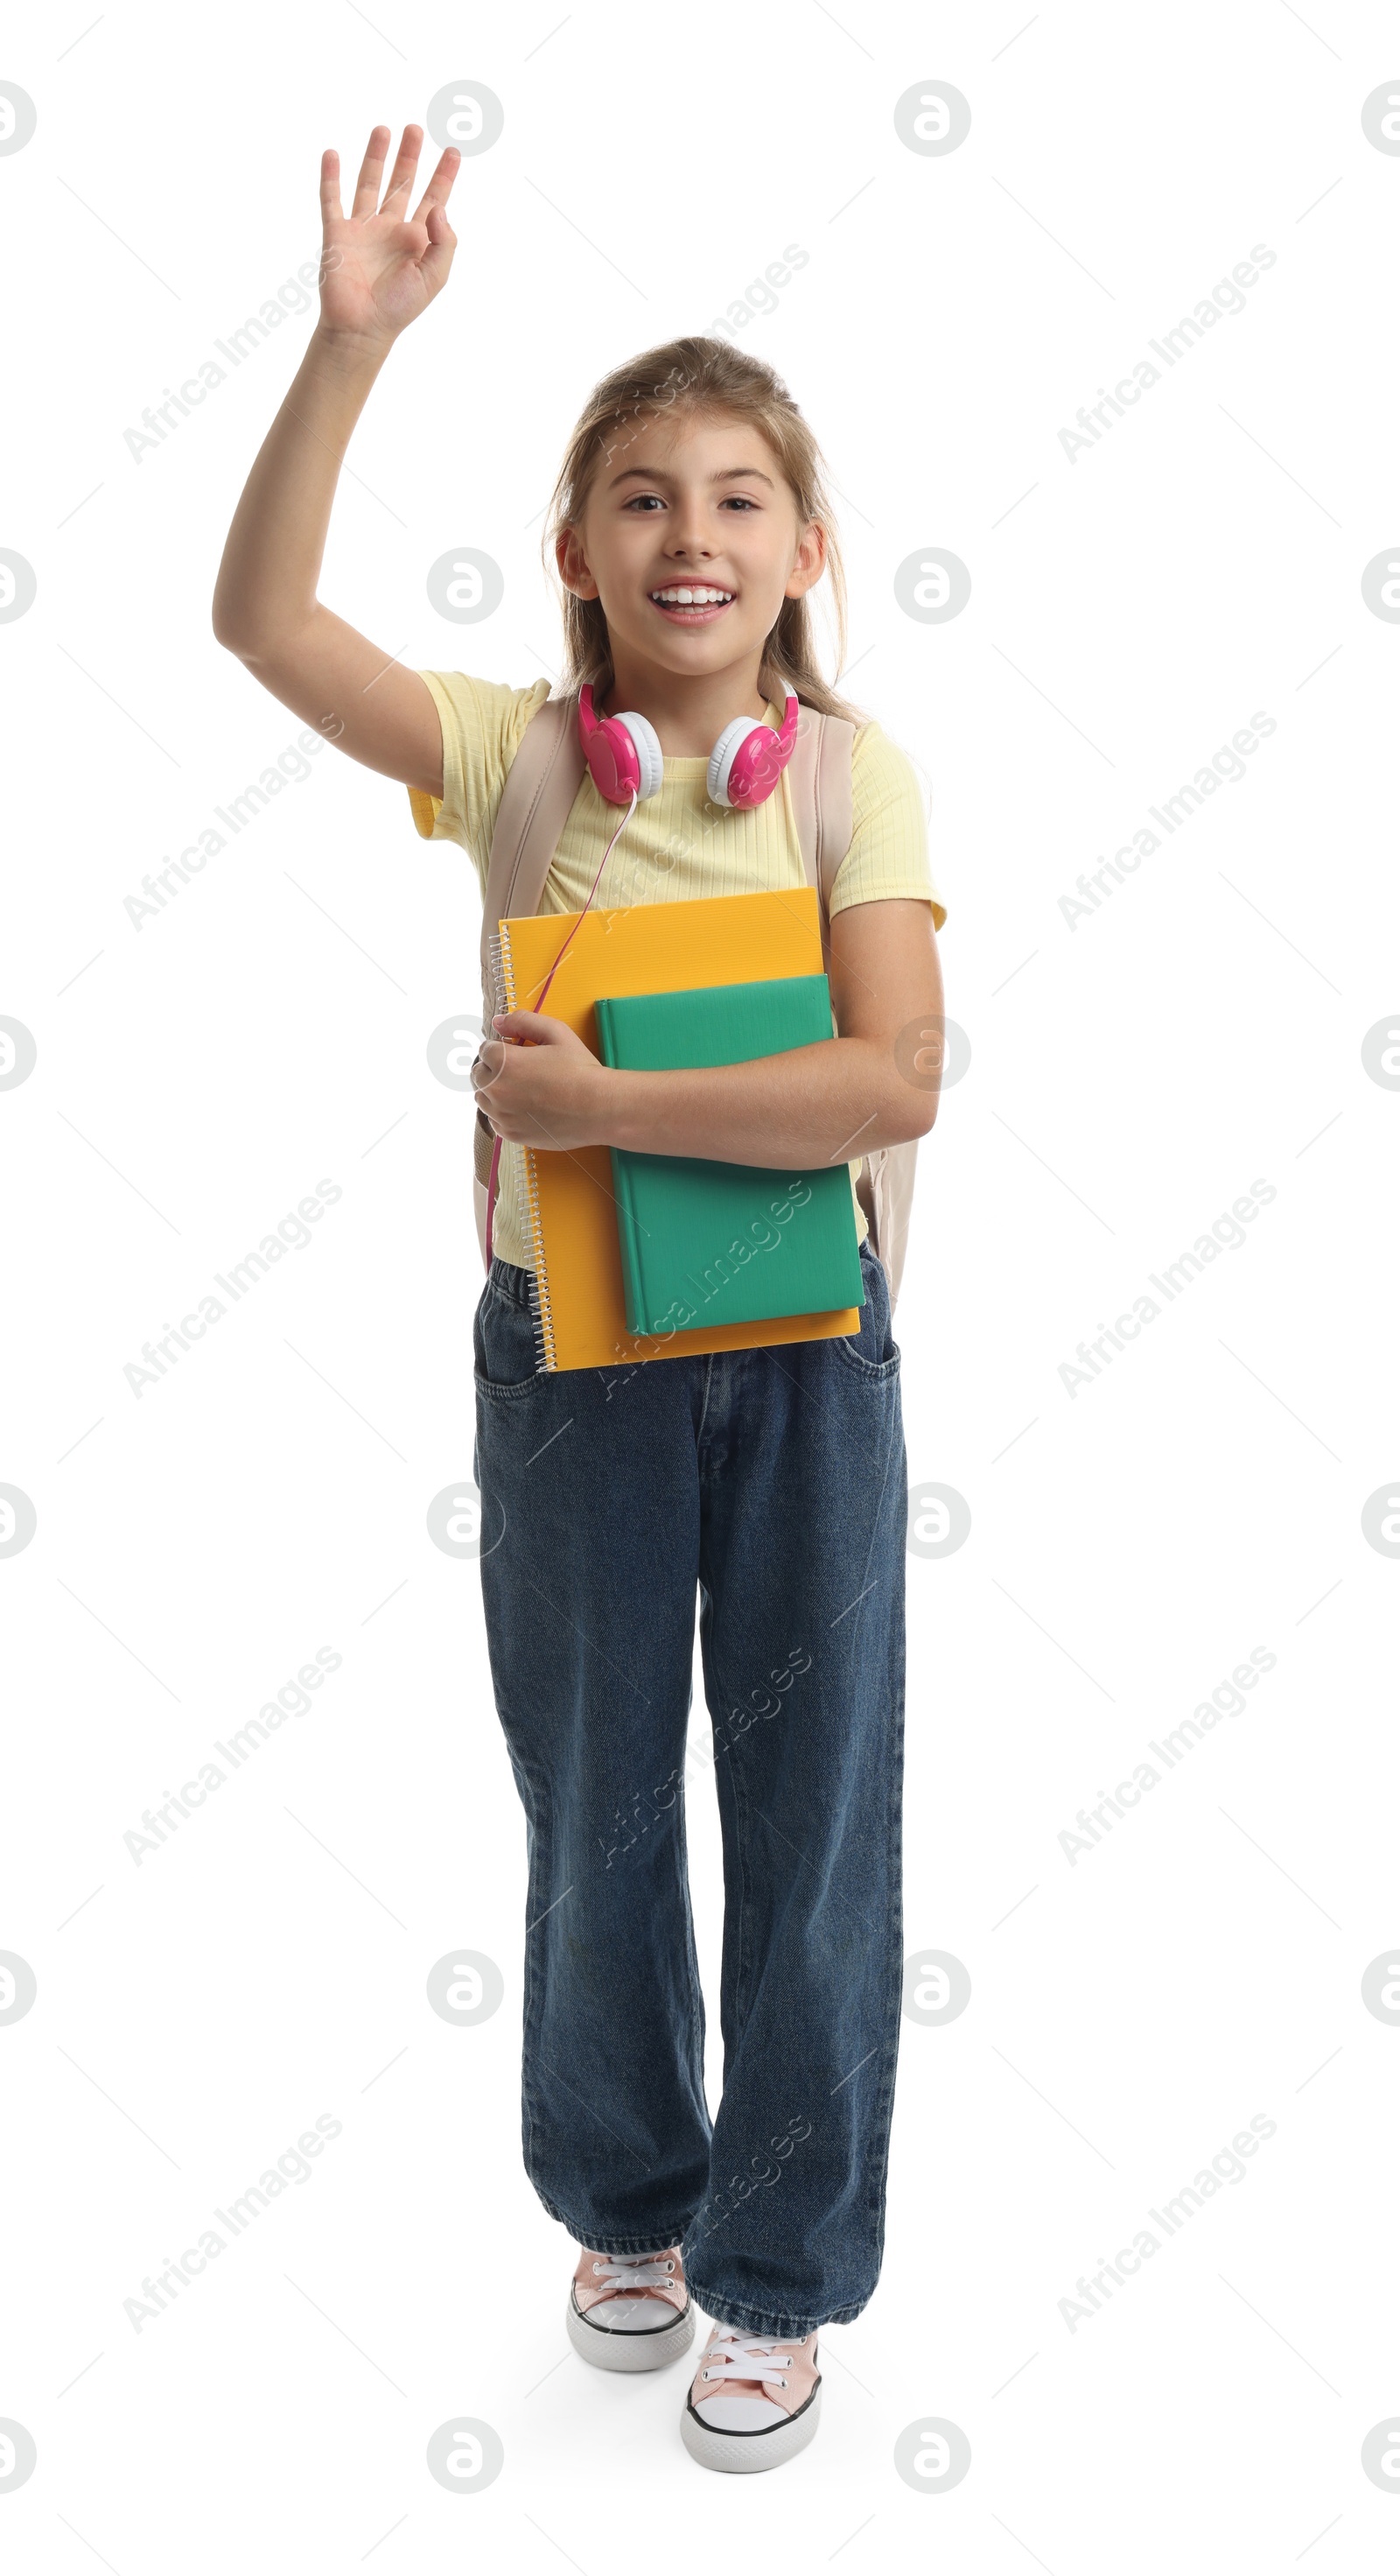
(691, 540)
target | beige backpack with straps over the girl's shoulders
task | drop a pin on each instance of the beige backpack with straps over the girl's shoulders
(537, 802)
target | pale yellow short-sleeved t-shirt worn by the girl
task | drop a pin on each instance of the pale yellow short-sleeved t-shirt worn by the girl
(676, 849)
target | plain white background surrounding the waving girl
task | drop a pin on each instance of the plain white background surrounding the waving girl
(1131, 1078)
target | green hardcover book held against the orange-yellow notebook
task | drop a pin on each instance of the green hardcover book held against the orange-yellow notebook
(727, 1240)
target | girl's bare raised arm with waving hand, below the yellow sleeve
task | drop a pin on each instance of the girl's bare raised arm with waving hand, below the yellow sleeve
(380, 272)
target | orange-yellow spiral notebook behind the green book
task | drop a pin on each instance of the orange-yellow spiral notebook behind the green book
(722, 939)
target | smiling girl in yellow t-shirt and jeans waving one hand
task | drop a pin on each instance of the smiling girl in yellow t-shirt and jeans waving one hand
(688, 529)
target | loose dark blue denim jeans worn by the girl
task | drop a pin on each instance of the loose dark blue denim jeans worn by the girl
(776, 1482)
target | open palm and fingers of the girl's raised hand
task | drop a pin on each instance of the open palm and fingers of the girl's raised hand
(382, 264)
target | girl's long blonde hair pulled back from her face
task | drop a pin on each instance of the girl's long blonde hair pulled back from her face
(691, 377)
